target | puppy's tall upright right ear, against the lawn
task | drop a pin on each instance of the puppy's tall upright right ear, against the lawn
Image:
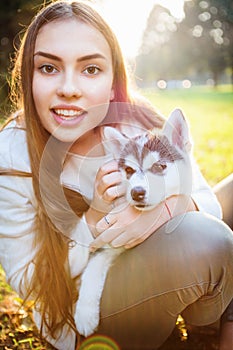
(177, 131)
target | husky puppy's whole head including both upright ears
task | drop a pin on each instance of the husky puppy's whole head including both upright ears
(154, 167)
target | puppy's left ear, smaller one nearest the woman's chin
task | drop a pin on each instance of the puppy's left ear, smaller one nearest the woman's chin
(114, 141)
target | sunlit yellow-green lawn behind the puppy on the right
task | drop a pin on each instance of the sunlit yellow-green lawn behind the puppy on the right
(209, 112)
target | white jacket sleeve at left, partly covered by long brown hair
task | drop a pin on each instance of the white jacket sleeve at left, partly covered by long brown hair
(17, 233)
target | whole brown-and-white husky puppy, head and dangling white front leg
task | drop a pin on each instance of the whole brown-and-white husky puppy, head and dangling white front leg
(155, 166)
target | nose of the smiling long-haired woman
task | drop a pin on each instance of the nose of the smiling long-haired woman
(69, 86)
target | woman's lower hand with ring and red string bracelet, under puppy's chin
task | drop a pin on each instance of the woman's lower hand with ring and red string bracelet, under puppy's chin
(127, 226)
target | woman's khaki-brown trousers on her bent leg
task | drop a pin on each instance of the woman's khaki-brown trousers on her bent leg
(188, 271)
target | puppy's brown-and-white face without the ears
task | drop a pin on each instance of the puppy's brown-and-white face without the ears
(152, 170)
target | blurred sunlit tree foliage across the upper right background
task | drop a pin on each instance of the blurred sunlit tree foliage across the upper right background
(201, 43)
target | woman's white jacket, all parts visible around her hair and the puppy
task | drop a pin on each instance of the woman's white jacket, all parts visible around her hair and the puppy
(18, 208)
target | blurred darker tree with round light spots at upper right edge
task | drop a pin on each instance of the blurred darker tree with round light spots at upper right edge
(206, 26)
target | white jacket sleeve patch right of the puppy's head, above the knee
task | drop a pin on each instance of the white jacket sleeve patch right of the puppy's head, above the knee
(203, 195)
